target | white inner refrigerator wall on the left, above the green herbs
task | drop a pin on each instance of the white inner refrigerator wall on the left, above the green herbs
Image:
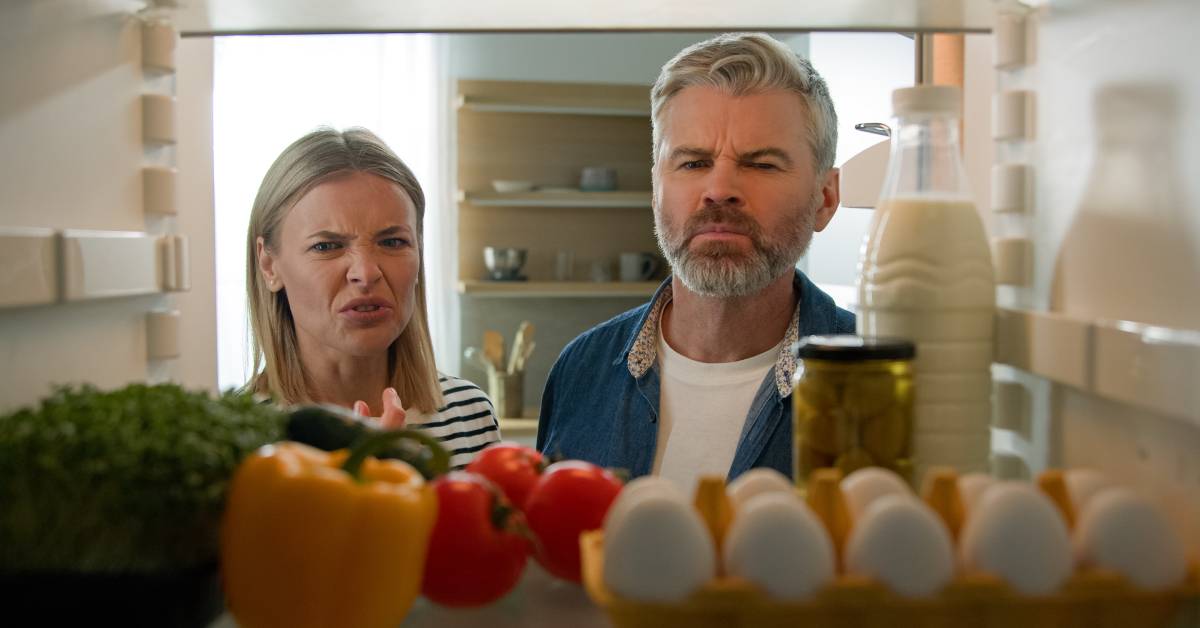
(71, 81)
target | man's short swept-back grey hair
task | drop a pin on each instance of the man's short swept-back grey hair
(749, 63)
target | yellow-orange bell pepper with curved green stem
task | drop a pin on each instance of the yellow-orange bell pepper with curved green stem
(326, 540)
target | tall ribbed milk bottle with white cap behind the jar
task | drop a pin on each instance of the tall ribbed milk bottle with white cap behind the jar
(926, 274)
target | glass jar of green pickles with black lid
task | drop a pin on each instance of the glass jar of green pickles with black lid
(853, 405)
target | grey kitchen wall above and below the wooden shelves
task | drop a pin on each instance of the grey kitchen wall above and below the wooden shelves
(574, 58)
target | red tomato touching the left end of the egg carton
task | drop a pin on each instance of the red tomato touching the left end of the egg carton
(571, 499)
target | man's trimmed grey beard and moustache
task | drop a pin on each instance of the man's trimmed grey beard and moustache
(723, 271)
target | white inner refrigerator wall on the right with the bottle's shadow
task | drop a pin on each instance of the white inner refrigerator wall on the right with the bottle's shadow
(1117, 219)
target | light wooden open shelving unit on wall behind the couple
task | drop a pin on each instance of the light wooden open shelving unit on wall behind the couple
(547, 134)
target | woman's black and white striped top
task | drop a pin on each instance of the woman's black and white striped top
(465, 424)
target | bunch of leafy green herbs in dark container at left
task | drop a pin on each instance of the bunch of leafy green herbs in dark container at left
(129, 481)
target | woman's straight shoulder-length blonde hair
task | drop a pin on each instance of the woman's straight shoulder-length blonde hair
(316, 158)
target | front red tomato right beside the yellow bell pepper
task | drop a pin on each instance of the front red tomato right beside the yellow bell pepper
(476, 554)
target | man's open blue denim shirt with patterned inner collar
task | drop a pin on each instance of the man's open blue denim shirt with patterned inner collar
(602, 405)
